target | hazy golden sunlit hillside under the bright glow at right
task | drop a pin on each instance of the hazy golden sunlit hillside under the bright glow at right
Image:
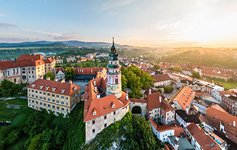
(219, 57)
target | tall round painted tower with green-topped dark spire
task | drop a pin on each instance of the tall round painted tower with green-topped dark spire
(113, 81)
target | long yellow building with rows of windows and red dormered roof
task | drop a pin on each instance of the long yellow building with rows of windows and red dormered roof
(55, 97)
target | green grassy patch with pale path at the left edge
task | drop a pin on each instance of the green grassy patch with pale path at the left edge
(9, 110)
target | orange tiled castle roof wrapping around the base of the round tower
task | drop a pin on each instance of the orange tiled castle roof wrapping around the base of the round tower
(103, 105)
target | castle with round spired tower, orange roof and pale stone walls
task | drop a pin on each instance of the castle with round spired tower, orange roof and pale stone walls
(104, 100)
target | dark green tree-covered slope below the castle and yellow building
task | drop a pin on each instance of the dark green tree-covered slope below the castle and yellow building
(32, 129)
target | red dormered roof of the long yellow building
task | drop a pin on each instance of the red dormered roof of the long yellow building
(48, 86)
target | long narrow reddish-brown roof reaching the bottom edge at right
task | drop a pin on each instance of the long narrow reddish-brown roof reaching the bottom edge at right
(203, 140)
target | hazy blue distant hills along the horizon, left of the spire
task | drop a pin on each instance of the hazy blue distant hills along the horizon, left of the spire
(59, 44)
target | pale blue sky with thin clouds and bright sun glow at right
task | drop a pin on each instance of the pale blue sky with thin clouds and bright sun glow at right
(152, 23)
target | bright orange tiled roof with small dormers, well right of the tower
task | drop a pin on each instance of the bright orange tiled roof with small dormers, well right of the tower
(184, 97)
